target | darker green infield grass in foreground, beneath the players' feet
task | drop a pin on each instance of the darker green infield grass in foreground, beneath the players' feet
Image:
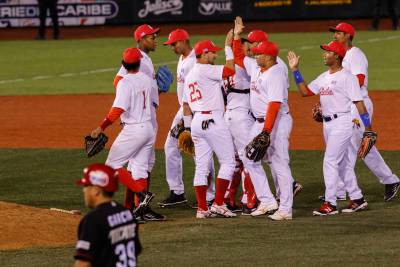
(45, 178)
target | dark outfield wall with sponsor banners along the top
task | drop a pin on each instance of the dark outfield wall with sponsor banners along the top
(24, 13)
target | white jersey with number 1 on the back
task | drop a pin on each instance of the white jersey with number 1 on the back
(132, 95)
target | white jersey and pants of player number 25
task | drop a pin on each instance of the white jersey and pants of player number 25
(202, 91)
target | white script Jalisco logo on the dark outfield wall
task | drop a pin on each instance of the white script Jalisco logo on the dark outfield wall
(160, 7)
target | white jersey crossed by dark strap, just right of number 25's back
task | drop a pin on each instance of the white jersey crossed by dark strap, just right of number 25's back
(241, 80)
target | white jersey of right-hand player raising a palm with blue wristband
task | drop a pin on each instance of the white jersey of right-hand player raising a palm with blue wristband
(337, 91)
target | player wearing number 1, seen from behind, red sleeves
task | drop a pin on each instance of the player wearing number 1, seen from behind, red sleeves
(134, 142)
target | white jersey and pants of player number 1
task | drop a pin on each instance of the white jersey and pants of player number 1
(136, 139)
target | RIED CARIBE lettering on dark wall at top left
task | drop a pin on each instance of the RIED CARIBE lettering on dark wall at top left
(106, 9)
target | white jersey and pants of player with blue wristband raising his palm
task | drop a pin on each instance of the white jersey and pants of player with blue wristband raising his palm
(337, 93)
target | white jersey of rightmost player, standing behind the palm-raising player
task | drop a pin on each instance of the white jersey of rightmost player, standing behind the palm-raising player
(356, 62)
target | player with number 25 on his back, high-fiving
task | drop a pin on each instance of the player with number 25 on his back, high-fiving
(203, 97)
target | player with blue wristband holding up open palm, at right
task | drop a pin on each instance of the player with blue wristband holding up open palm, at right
(338, 90)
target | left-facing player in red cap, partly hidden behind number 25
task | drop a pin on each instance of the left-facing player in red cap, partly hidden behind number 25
(180, 44)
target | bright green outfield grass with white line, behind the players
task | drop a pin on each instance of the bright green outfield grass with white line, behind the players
(29, 59)
